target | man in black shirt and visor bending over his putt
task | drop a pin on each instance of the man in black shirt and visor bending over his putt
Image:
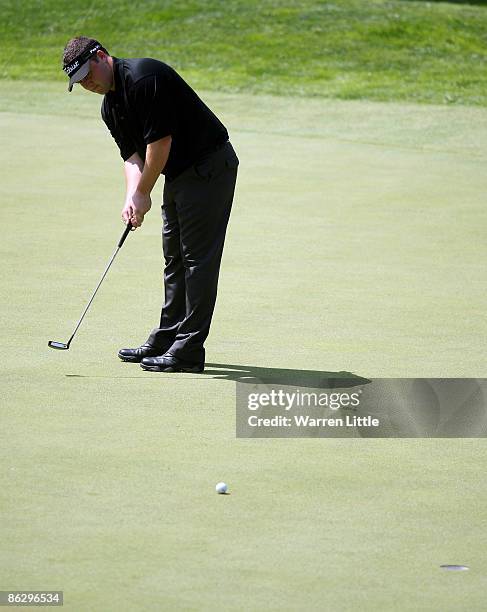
(161, 126)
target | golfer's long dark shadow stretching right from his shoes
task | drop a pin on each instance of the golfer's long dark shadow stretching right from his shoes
(279, 376)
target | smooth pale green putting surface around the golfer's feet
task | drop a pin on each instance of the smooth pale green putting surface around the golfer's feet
(356, 244)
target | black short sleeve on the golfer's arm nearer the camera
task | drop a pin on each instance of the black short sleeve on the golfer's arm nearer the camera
(153, 107)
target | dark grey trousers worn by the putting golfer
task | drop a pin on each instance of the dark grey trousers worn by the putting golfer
(195, 212)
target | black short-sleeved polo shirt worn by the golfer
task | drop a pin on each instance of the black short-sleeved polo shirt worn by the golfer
(152, 101)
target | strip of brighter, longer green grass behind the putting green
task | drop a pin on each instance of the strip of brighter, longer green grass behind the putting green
(377, 50)
